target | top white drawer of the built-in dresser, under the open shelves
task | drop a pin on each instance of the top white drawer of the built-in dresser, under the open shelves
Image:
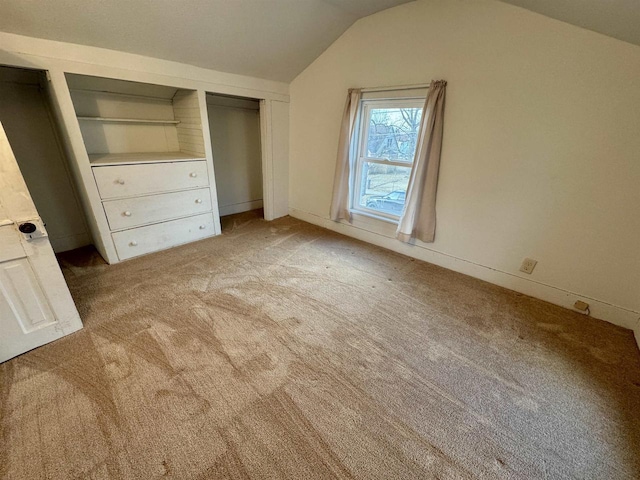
(130, 180)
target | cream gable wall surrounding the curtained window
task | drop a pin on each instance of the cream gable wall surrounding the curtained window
(541, 145)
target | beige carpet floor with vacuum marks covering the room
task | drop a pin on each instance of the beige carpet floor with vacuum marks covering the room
(282, 350)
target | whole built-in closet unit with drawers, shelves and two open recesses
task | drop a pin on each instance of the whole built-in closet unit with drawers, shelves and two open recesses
(129, 166)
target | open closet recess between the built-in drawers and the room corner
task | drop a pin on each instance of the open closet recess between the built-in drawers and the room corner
(234, 124)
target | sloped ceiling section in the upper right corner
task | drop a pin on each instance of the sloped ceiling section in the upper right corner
(616, 18)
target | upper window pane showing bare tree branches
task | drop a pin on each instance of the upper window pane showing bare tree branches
(393, 133)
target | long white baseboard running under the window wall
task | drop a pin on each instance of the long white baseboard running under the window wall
(599, 309)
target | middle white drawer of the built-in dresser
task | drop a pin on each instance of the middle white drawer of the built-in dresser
(132, 212)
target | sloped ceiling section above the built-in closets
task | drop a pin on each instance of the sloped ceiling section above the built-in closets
(272, 39)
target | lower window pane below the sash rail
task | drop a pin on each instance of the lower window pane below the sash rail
(383, 187)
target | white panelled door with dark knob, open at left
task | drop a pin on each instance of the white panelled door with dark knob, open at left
(35, 304)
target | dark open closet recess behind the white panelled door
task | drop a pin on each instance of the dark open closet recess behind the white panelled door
(26, 113)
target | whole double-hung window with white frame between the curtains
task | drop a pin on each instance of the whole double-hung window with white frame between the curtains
(388, 133)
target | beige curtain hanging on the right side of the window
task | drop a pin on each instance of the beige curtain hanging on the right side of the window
(418, 219)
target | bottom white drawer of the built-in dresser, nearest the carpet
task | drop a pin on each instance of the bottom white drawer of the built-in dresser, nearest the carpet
(141, 240)
